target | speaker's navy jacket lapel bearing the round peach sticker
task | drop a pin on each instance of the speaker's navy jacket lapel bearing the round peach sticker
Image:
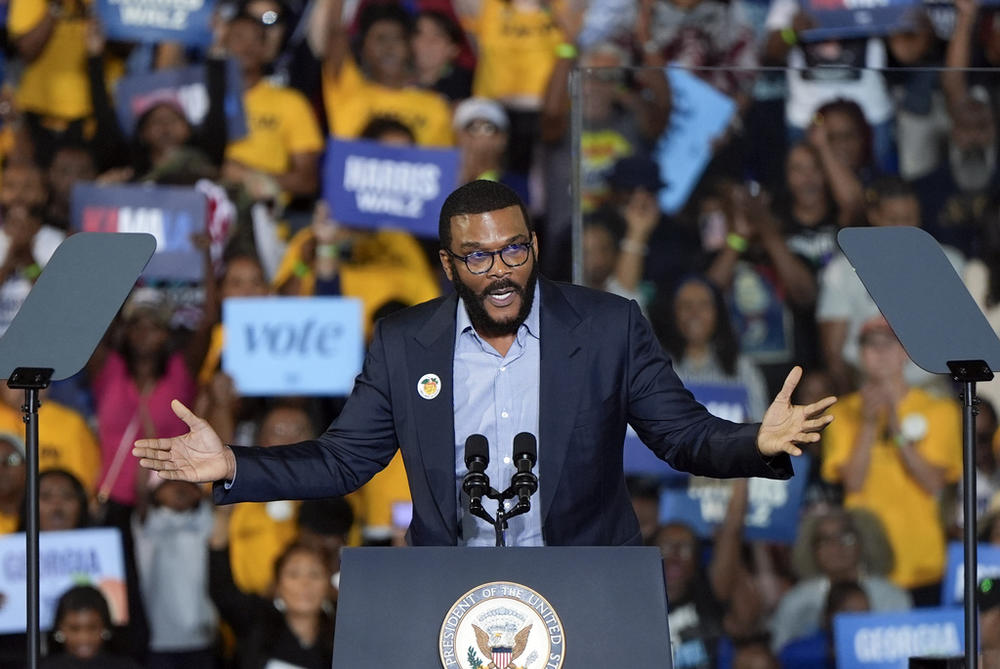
(431, 351)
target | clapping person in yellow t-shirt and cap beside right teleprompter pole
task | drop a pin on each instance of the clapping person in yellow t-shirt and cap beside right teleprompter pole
(894, 448)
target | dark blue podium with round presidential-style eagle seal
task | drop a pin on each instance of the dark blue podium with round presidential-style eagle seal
(599, 607)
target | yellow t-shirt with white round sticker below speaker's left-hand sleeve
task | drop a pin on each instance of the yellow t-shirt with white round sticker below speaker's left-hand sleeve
(256, 538)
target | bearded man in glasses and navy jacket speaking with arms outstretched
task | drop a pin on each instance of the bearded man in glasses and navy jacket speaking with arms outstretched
(509, 352)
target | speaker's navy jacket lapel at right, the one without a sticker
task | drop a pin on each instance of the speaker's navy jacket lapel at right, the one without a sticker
(562, 376)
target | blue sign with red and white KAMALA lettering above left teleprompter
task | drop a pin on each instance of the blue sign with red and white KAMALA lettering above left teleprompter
(172, 214)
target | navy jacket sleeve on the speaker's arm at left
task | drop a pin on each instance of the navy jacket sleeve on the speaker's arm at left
(359, 443)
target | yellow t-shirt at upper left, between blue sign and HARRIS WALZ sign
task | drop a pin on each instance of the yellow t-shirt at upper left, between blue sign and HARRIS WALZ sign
(280, 124)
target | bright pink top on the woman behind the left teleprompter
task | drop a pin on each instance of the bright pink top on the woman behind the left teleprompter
(117, 399)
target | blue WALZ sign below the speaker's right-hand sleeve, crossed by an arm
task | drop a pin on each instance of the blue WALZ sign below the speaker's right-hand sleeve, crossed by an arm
(772, 515)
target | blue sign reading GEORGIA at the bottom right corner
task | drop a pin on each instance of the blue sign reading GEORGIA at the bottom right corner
(887, 640)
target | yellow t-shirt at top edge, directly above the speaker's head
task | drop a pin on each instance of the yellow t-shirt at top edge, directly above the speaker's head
(517, 51)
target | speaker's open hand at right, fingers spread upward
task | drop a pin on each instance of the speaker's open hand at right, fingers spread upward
(786, 425)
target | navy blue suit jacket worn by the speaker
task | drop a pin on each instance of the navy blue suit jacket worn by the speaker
(601, 367)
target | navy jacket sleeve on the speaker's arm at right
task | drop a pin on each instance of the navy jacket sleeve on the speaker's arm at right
(676, 427)
